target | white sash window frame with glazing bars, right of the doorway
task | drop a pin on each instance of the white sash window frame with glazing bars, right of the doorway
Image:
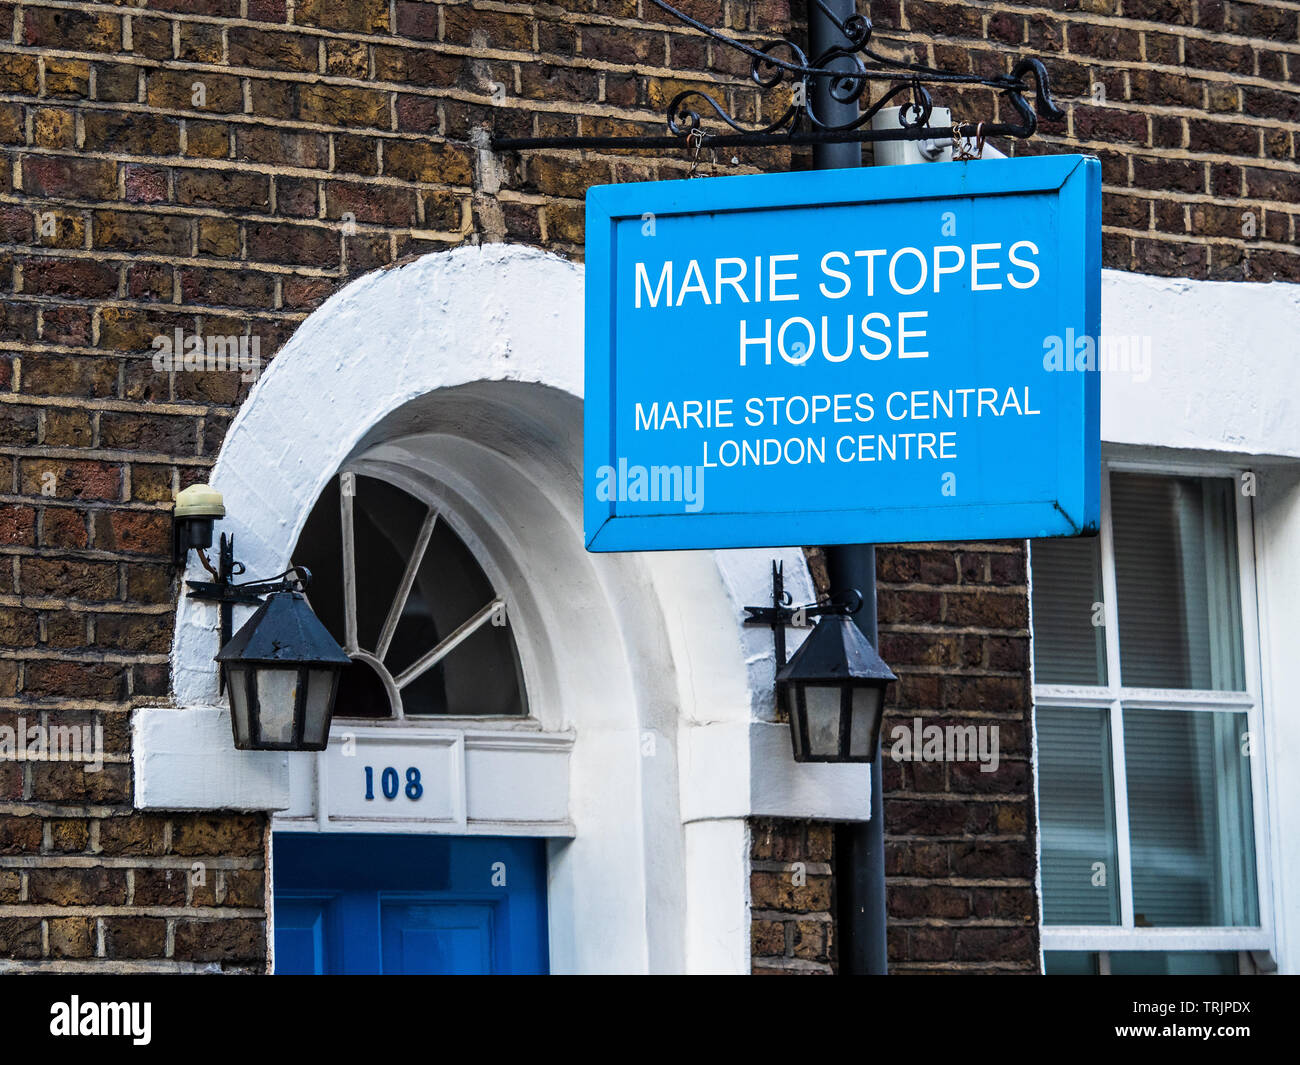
(1113, 698)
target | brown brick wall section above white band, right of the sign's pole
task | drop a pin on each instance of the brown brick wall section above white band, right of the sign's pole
(1191, 98)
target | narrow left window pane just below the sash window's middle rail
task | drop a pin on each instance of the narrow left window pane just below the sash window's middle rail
(1077, 806)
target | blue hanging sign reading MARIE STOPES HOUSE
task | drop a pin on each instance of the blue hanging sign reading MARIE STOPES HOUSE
(899, 354)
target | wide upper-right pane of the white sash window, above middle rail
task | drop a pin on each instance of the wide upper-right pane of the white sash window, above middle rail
(1177, 574)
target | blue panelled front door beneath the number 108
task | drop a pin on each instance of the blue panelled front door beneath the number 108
(409, 904)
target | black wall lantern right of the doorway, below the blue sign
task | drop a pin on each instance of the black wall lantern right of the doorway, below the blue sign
(834, 687)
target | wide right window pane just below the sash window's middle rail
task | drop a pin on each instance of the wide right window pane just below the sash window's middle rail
(1190, 817)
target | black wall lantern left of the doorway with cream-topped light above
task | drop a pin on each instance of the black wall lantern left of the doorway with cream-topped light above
(283, 668)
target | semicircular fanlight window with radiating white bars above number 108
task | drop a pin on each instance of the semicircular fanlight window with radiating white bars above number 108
(405, 598)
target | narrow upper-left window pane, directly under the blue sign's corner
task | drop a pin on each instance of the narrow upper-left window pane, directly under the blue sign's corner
(1069, 639)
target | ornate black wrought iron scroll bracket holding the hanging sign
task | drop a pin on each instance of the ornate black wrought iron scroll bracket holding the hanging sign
(848, 73)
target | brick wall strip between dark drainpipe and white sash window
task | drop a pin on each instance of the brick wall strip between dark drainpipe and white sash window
(960, 843)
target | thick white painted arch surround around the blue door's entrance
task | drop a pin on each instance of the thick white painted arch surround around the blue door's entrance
(461, 376)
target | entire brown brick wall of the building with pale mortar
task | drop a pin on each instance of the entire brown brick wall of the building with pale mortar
(223, 166)
